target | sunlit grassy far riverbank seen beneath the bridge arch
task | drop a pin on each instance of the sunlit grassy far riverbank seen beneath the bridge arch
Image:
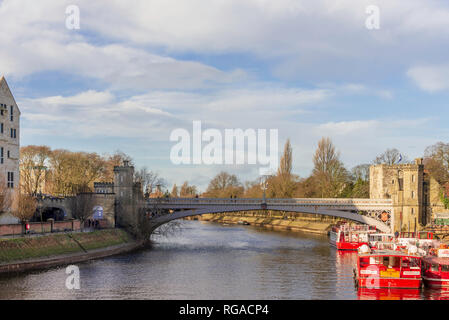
(300, 224)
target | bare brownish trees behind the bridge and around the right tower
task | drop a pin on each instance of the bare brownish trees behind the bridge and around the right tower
(329, 178)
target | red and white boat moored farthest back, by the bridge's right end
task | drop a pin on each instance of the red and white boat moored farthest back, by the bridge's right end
(350, 237)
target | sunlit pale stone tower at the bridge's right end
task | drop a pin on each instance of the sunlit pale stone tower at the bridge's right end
(405, 185)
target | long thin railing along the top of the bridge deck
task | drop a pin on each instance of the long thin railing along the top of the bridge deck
(249, 201)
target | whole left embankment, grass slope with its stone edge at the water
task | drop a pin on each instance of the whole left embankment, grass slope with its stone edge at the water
(28, 253)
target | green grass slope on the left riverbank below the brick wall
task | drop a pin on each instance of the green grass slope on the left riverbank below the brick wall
(57, 244)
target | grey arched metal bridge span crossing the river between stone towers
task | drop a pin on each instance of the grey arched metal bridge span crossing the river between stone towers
(374, 212)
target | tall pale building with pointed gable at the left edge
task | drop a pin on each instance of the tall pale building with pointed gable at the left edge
(9, 139)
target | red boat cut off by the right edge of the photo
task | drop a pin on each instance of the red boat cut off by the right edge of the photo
(436, 268)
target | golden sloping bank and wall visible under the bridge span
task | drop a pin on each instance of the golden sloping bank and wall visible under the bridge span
(284, 222)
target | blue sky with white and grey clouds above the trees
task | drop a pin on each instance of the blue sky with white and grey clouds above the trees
(138, 69)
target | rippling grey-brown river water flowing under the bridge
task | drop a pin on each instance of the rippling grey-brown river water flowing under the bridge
(212, 261)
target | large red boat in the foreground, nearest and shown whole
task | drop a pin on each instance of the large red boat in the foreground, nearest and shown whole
(388, 269)
